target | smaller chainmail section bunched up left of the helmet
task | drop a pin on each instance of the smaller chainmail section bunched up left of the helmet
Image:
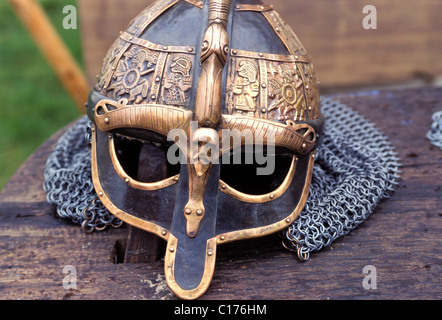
(68, 181)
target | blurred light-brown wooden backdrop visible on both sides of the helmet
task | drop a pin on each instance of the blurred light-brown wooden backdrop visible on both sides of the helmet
(405, 47)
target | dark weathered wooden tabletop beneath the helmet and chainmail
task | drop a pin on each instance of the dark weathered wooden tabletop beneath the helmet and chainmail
(402, 238)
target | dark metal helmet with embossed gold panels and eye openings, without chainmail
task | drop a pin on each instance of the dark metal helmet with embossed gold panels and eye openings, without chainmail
(206, 116)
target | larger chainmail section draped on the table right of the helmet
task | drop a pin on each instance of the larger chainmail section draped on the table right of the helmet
(355, 168)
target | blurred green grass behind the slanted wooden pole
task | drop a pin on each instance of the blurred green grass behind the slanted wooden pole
(33, 103)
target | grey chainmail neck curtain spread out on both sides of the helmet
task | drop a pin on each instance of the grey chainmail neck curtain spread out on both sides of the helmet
(355, 168)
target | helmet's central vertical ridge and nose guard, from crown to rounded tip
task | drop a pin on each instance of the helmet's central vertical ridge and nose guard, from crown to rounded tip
(196, 250)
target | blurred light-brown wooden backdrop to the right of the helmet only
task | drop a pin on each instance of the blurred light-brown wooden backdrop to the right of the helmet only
(406, 43)
